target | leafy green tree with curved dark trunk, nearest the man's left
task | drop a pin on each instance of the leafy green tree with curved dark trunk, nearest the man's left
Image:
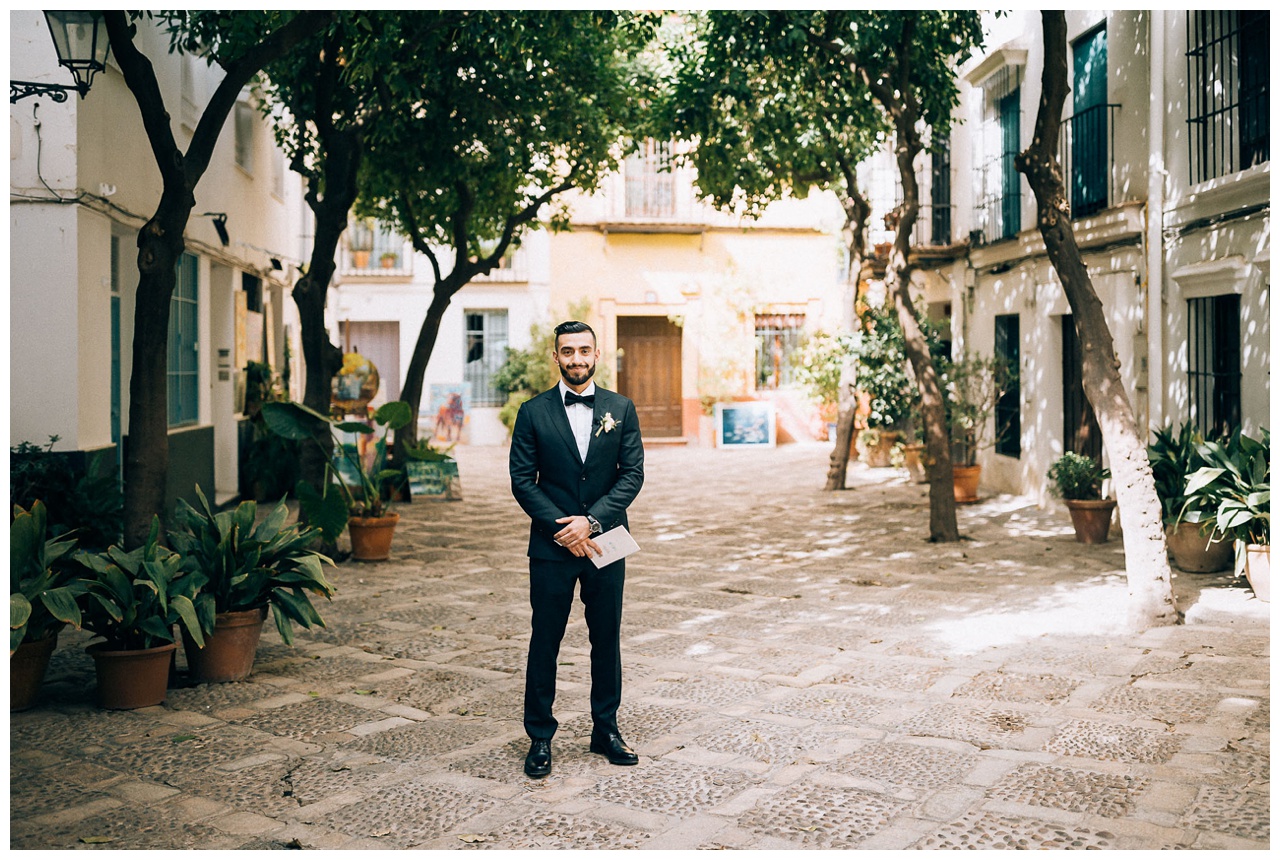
(500, 113)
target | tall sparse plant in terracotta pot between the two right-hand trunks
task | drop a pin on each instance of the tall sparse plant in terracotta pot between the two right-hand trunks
(972, 387)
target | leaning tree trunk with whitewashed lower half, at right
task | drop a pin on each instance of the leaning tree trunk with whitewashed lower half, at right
(1151, 597)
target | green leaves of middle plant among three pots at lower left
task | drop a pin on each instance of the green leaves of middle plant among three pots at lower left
(135, 600)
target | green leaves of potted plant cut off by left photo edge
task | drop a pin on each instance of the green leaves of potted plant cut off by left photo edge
(43, 587)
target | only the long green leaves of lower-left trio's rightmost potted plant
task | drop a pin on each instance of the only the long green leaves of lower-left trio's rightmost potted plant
(248, 565)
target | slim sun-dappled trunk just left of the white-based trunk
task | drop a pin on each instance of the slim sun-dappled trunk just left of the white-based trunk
(898, 277)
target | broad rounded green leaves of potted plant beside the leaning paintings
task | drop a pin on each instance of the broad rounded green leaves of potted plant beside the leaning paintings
(362, 492)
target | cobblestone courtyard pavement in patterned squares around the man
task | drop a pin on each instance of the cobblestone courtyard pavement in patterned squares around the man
(803, 671)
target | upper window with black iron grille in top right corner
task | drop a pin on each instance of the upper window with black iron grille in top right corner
(1228, 89)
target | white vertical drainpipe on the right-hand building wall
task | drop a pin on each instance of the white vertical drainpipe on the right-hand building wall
(1155, 225)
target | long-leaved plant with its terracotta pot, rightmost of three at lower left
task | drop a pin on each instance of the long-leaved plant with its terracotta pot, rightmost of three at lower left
(248, 566)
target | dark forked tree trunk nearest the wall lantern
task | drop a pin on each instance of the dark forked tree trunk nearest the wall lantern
(161, 245)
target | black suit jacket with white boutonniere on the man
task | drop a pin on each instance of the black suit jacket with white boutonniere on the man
(551, 481)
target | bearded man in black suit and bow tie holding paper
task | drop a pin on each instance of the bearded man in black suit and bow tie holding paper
(577, 464)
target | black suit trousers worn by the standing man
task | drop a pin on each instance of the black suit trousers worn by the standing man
(551, 596)
